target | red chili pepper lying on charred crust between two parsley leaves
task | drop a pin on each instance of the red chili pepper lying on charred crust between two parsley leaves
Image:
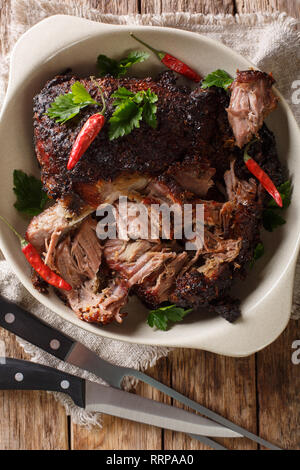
(87, 135)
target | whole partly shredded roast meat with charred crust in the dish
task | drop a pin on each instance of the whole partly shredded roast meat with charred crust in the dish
(194, 155)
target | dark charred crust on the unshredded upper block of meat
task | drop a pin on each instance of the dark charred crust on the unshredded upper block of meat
(181, 116)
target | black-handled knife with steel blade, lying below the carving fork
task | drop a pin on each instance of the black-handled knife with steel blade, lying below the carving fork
(17, 374)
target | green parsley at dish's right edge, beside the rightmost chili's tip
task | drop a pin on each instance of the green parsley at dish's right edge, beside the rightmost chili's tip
(271, 215)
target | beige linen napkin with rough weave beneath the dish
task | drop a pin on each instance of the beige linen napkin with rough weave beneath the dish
(271, 41)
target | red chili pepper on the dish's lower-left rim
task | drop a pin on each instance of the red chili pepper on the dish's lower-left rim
(37, 263)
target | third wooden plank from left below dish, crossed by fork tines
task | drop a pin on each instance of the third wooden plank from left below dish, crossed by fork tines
(223, 384)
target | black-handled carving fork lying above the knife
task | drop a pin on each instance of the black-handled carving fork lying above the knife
(27, 326)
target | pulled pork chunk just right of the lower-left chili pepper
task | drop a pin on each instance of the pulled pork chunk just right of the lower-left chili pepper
(78, 260)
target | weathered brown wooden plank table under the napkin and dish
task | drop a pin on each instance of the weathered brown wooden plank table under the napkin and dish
(257, 392)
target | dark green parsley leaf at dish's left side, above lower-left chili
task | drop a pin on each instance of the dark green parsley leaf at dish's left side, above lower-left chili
(31, 198)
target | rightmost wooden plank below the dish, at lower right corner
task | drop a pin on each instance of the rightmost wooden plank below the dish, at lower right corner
(278, 382)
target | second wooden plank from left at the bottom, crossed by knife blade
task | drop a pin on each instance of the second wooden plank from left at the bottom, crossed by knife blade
(123, 434)
